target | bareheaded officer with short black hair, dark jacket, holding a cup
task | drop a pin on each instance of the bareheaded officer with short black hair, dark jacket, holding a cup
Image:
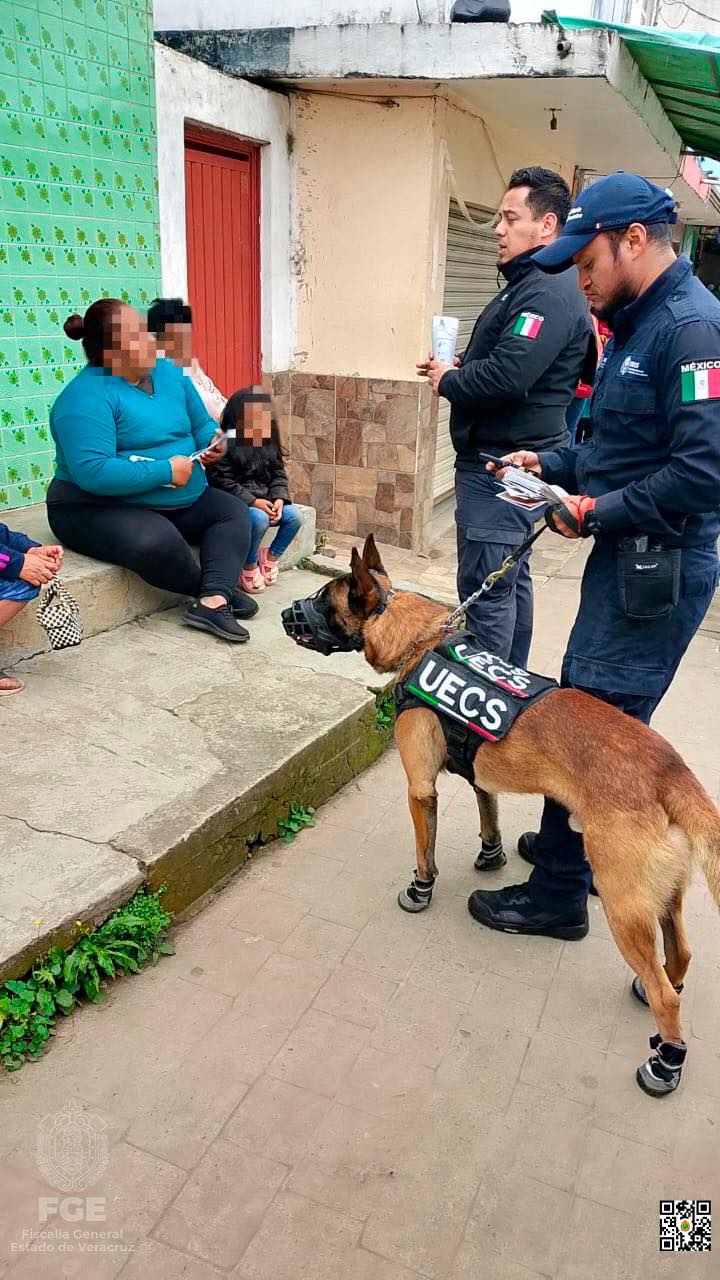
(512, 390)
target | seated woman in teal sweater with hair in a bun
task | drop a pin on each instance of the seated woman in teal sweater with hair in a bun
(126, 488)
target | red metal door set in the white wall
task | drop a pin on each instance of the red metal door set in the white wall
(222, 181)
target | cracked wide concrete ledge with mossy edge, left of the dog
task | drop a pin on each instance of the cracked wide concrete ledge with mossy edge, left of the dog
(154, 755)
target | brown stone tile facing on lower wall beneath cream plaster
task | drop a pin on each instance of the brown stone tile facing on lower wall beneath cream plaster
(362, 452)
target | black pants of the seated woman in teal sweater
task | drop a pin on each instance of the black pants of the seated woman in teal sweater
(157, 545)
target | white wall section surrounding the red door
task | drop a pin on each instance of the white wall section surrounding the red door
(189, 90)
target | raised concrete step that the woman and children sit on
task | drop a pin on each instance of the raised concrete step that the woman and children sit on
(108, 597)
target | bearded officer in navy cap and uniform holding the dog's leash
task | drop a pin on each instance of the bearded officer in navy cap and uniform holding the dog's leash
(646, 487)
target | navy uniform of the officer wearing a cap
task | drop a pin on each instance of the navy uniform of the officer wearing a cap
(654, 465)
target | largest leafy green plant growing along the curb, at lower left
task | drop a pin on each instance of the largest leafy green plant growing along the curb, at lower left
(130, 938)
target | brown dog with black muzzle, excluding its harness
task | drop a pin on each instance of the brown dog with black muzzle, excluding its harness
(645, 817)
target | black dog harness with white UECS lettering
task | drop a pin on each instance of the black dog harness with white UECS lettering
(476, 697)
